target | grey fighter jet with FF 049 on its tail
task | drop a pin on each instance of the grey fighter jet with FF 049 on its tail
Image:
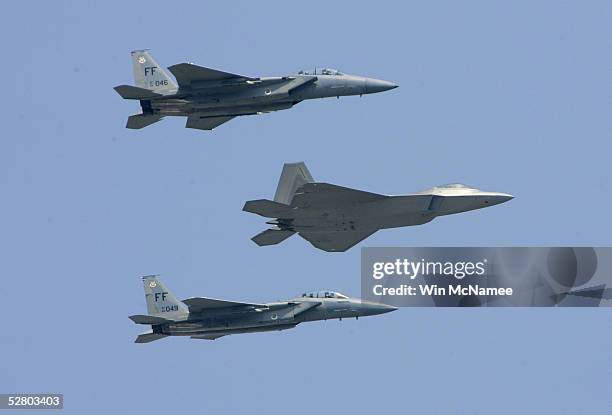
(209, 319)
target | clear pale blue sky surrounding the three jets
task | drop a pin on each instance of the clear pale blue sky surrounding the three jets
(505, 96)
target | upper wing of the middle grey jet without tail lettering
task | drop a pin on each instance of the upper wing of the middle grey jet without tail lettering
(322, 194)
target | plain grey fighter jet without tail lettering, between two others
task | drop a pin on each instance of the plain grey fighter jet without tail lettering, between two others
(335, 218)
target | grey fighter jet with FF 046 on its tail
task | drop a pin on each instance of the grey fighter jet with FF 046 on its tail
(209, 97)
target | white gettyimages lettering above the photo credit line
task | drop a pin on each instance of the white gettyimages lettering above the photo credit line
(412, 269)
